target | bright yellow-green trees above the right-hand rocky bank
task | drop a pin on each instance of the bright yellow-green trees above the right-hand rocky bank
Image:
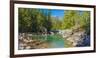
(76, 18)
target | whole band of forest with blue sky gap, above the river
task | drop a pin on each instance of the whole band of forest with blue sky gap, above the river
(37, 20)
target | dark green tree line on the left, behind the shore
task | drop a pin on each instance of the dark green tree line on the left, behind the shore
(34, 20)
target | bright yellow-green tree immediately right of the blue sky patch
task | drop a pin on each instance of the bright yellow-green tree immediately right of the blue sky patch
(70, 19)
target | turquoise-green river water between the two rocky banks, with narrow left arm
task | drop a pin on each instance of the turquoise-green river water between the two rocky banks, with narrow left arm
(55, 41)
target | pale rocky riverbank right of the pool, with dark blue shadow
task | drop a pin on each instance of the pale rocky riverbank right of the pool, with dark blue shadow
(76, 38)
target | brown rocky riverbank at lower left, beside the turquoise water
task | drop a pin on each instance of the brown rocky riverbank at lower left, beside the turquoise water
(27, 42)
